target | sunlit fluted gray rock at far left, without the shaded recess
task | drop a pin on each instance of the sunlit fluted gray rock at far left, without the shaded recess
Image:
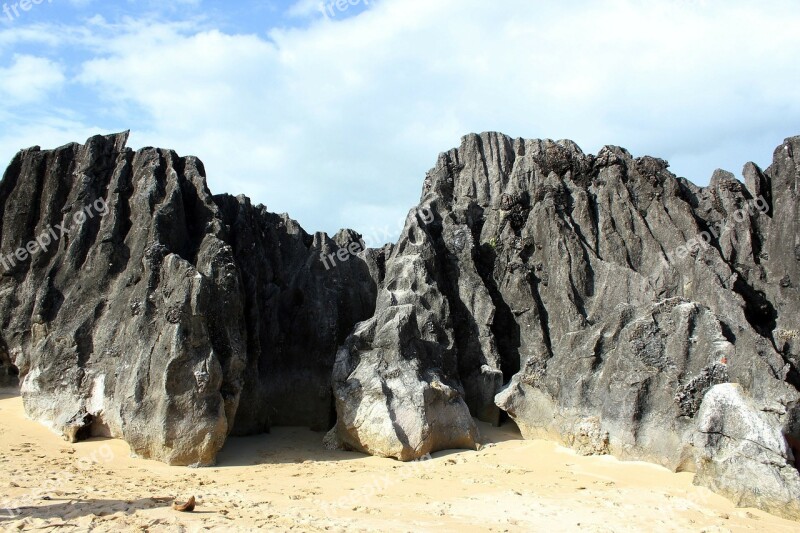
(127, 322)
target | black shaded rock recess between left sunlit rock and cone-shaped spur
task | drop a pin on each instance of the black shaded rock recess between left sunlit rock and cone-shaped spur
(297, 314)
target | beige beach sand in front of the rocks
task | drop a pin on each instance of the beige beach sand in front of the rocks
(285, 481)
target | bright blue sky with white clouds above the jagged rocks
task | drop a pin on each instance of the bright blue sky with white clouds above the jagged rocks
(333, 111)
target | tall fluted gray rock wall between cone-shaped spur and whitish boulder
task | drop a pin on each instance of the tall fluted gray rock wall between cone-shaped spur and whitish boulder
(619, 294)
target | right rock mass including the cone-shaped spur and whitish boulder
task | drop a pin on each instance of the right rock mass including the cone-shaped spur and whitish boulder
(595, 299)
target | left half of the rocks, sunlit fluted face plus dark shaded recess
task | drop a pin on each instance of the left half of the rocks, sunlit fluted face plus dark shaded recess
(153, 316)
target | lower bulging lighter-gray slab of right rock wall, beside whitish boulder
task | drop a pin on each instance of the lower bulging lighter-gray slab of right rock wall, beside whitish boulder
(640, 376)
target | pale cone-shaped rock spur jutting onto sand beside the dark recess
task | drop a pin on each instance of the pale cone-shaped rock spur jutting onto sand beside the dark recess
(396, 378)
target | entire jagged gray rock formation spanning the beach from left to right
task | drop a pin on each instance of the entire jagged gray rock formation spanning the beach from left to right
(599, 300)
